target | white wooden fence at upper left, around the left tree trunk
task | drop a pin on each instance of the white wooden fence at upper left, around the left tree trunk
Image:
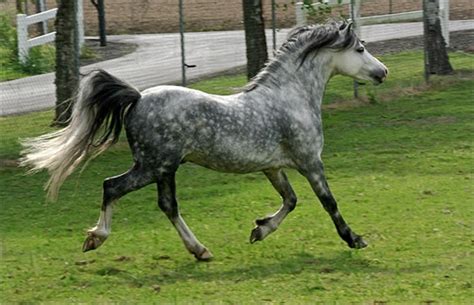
(23, 21)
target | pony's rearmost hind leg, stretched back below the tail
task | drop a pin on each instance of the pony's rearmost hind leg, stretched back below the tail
(114, 188)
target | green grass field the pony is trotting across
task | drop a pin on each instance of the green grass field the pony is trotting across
(401, 167)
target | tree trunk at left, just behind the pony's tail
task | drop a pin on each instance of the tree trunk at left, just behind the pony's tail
(67, 60)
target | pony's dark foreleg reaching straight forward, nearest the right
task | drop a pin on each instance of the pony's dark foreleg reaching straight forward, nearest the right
(320, 186)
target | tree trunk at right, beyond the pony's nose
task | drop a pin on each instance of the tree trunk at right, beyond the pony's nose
(436, 55)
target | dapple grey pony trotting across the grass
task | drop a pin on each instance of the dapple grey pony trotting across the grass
(274, 123)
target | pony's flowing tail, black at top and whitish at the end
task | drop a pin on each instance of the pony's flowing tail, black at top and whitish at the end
(102, 103)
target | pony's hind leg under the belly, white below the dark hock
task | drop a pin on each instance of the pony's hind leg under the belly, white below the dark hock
(169, 205)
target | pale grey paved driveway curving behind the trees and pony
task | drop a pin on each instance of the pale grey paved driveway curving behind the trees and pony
(157, 61)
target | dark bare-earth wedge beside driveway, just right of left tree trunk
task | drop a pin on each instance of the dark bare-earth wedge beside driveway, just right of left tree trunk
(95, 53)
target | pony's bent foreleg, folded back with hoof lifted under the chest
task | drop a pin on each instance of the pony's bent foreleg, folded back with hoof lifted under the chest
(269, 224)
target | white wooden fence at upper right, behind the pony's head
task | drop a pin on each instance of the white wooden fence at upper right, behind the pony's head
(389, 18)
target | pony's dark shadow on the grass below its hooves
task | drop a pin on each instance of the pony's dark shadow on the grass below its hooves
(344, 263)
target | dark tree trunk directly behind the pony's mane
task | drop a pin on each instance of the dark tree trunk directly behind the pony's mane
(254, 36)
